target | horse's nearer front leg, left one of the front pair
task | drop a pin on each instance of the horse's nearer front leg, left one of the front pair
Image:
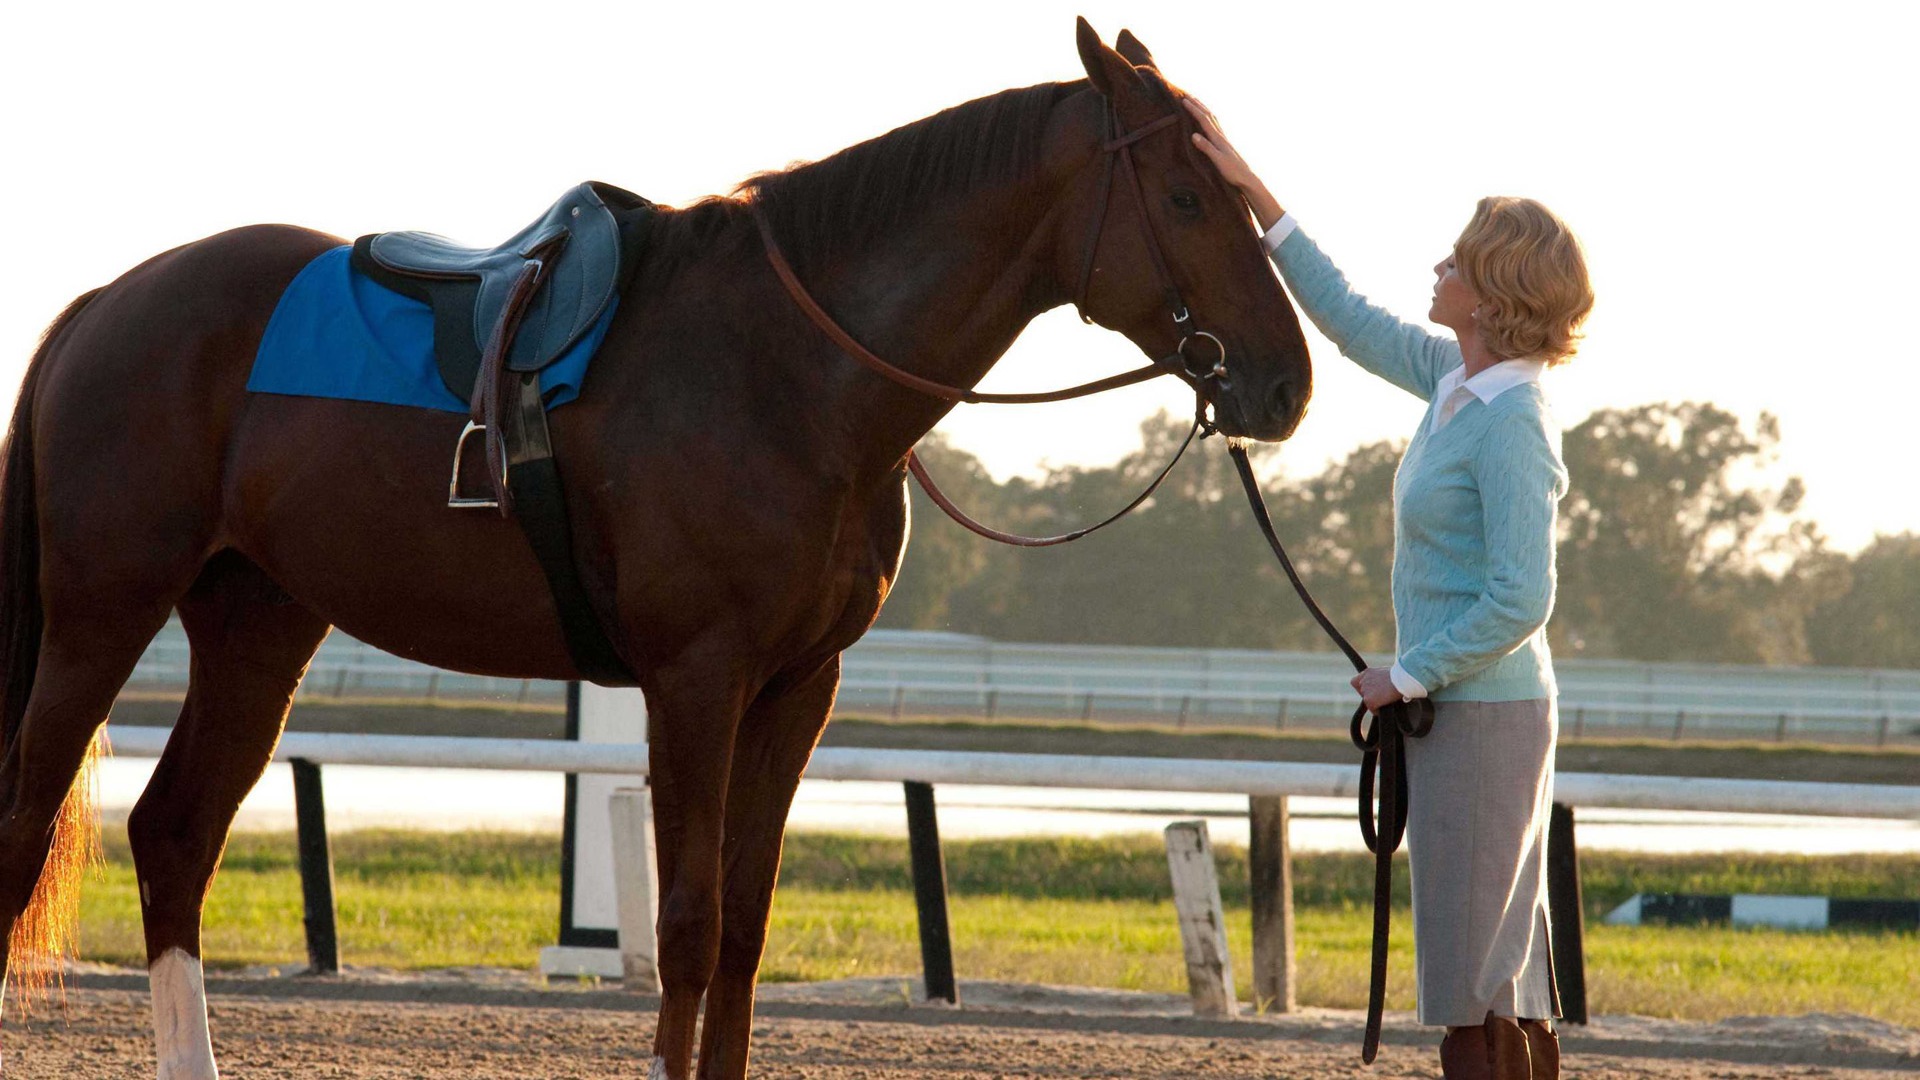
(694, 708)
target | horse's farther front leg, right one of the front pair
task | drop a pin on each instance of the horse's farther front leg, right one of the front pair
(771, 752)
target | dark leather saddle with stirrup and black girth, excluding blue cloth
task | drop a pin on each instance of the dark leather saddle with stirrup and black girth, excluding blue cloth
(502, 316)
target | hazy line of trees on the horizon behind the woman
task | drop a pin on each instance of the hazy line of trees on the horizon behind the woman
(1673, 545)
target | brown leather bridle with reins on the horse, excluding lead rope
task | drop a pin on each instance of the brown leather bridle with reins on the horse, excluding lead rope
(1205, 378)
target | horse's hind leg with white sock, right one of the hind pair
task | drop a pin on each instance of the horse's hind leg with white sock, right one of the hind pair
(251, 647)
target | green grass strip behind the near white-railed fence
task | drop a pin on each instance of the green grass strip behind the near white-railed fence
(1057, 910)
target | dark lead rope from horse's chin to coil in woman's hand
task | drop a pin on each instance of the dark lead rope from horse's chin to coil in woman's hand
(1383, 747)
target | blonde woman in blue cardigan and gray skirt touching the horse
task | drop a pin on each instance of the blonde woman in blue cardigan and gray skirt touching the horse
(1474, 585)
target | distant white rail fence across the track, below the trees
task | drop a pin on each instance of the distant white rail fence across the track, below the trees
(923, 674)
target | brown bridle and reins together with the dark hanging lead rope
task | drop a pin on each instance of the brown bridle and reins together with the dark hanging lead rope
(1383, 747)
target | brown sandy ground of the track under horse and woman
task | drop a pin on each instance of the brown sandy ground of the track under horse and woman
(458, 1025)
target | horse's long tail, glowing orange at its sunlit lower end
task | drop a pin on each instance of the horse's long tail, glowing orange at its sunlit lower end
(47, 929)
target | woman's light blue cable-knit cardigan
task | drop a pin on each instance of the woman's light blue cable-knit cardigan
(1476, 503)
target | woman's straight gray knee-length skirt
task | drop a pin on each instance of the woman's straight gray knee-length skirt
(1479, 793)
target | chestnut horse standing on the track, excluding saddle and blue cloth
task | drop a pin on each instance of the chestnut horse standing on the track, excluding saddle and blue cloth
(738, 501)
